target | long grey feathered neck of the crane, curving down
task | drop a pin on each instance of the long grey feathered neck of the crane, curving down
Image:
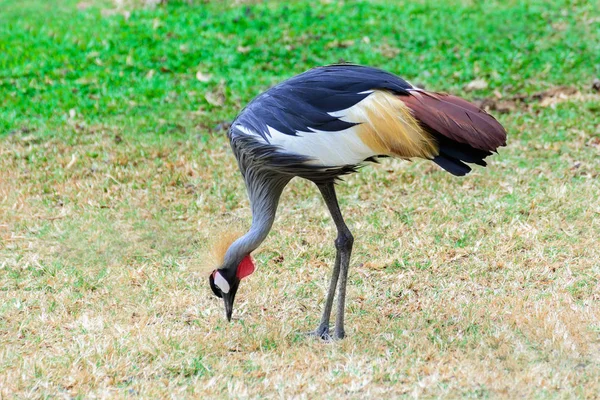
(264, 192)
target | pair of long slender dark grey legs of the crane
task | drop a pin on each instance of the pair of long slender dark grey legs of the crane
(343, 245)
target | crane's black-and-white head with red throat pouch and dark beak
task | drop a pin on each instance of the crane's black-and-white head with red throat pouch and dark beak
(224, 282)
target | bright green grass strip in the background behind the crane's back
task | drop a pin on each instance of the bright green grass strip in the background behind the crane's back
(140, 72)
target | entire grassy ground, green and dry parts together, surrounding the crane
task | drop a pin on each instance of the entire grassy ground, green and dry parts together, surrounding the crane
(116, 174)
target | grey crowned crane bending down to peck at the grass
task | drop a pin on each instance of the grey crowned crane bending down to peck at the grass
(325, 123)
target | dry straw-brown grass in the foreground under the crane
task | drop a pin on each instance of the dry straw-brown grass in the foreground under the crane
(476, 287)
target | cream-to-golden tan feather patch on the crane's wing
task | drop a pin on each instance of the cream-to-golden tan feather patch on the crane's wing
(388, 127)
